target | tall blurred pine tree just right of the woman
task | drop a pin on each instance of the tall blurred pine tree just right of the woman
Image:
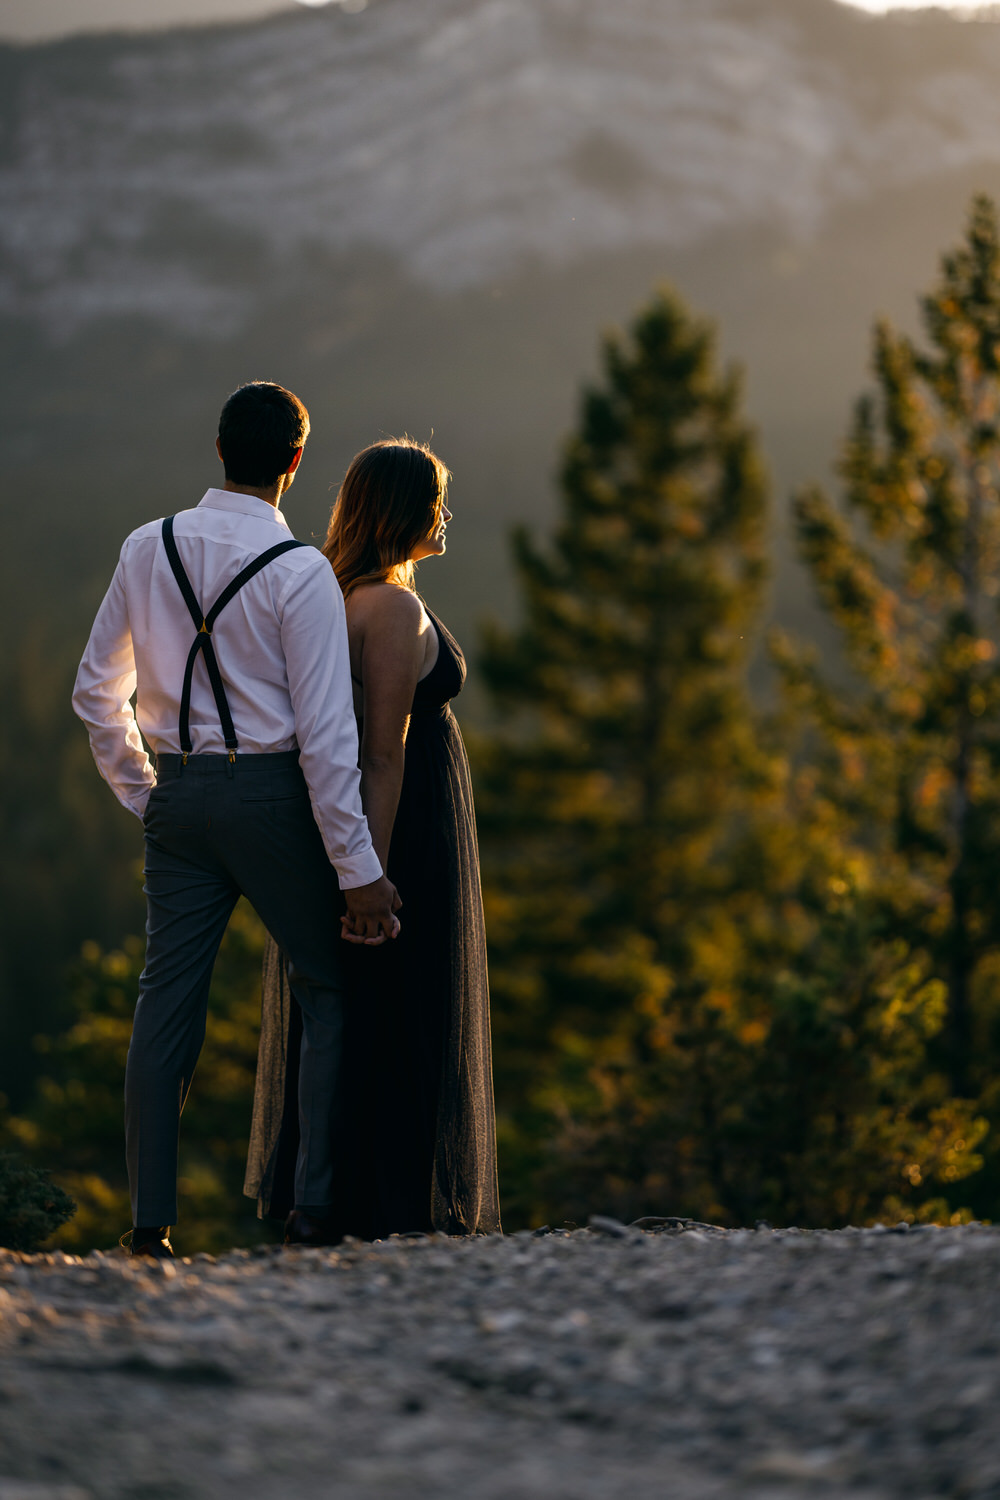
(612, 797)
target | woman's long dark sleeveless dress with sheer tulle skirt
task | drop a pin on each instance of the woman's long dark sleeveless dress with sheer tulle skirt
(416, 1142)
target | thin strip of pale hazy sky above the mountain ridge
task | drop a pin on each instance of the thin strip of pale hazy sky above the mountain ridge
(37, 20)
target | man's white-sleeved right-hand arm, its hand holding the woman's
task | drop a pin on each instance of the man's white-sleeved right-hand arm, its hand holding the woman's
(317, 659)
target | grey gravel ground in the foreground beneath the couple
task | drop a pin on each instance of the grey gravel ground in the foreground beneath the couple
(686, 1363)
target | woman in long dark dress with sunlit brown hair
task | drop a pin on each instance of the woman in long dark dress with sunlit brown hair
(416, 1141)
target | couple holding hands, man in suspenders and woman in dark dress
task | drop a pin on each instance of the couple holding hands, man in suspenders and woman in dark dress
(256, 661)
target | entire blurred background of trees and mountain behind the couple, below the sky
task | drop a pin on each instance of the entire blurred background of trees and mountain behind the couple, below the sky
(737, 760)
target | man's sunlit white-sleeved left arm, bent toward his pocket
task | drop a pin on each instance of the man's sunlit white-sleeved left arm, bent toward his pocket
(103, 698)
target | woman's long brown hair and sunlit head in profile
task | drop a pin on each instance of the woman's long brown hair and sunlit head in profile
(392, 499)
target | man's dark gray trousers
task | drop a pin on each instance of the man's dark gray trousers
(215, 832)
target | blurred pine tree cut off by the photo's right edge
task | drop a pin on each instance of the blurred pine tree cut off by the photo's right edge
(911, 572)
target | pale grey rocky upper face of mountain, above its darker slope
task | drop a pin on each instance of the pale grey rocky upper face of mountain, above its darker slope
(175, 176)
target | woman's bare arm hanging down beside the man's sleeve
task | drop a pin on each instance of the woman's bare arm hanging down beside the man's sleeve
(394, 631)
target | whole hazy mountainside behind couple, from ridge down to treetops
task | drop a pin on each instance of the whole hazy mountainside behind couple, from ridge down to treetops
(425, 211)
